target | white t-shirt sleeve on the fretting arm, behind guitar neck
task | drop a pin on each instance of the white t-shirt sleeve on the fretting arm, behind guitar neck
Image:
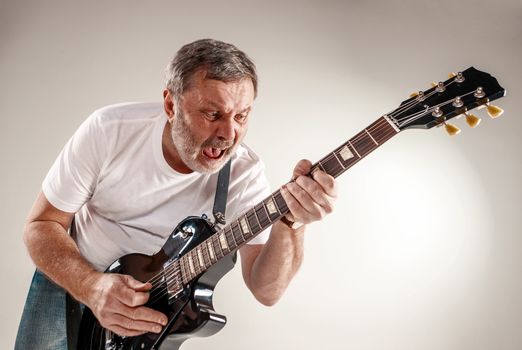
(257, 190)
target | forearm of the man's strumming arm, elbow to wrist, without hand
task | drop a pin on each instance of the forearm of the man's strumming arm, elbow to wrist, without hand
(55, 253)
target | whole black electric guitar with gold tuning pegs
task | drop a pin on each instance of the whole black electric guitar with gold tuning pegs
(197, 253)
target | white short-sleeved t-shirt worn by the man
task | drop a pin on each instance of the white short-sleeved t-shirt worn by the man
(127, 199)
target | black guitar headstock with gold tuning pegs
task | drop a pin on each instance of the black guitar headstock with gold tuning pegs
(458, 95)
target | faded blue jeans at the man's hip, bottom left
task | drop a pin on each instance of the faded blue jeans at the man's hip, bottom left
(43, 325)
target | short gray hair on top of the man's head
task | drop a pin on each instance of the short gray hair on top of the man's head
(219, 61)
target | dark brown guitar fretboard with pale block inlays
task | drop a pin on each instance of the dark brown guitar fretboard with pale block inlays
(252, 222)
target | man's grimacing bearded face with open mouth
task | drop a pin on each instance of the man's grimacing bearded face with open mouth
(209, 123)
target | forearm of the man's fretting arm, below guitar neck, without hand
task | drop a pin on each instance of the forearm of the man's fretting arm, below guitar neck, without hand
(276, 264)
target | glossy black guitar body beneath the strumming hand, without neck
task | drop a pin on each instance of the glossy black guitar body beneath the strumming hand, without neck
(190, 313)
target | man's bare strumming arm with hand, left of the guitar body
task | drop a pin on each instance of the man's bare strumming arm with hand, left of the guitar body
(114, 299)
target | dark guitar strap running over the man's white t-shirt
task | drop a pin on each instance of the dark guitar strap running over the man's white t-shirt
(73, 308)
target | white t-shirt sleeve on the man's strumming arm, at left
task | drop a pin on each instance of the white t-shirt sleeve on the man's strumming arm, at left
(72, 178)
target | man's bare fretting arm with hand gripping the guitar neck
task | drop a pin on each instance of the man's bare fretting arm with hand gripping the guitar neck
(269, 268)
